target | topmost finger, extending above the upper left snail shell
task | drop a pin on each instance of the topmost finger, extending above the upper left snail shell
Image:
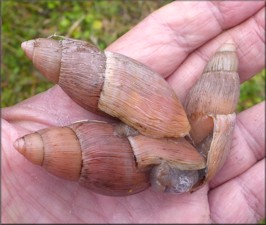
(165, 38)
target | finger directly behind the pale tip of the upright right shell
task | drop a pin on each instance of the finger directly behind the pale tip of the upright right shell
(250, 41)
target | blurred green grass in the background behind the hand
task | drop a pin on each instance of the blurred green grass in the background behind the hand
(100, 22)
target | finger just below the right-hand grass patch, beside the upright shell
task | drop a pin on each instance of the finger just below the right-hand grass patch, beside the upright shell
(248, 144)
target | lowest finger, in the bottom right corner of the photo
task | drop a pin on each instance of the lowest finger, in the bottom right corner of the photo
(242, 199)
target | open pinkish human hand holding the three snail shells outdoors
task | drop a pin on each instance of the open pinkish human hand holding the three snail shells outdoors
(178, 52)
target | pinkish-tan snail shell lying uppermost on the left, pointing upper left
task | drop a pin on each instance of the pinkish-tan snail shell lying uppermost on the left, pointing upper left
(112, 83)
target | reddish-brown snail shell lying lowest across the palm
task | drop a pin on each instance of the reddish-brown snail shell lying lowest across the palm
(103, 160)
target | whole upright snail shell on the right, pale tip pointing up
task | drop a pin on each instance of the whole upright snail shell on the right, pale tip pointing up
(210, 106)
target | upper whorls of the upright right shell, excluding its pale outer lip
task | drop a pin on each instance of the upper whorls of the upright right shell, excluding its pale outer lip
(216, 92)
